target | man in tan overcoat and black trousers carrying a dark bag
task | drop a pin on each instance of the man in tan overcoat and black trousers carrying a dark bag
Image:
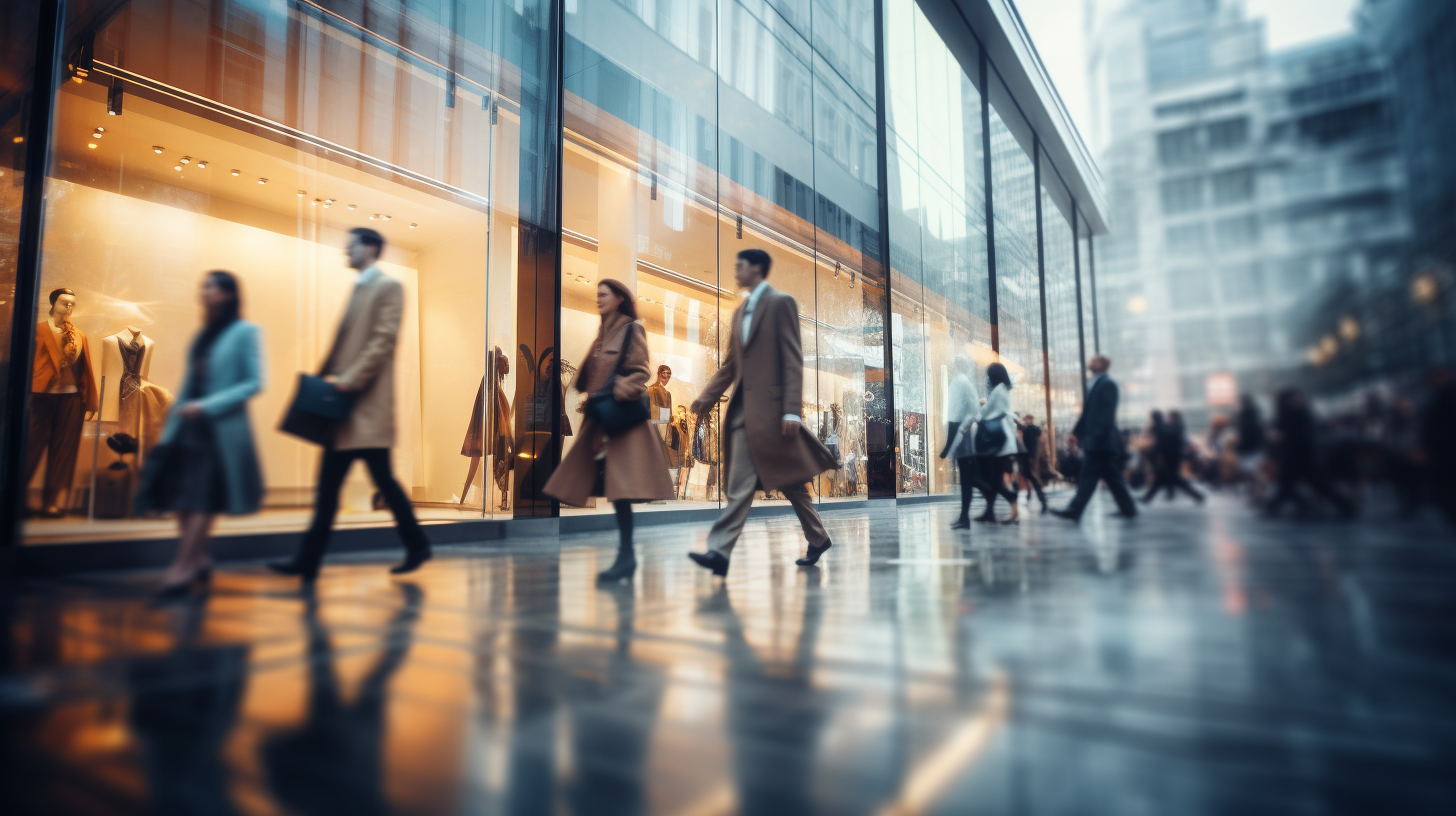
(363, 364)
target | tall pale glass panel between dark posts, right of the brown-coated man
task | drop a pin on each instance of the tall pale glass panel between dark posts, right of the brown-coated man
(938, 237)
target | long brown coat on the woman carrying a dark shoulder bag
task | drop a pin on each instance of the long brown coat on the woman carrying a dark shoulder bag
(637, 461)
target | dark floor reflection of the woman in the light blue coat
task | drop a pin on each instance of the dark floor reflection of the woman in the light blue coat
(184, 709)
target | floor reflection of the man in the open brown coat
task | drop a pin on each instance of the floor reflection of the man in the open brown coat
(775, 716)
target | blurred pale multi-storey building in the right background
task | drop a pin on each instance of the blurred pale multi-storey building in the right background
(1249, 187)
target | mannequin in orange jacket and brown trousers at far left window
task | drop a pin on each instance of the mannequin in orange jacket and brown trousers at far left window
(63, 396)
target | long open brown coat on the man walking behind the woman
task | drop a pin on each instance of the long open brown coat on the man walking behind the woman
(767, 375)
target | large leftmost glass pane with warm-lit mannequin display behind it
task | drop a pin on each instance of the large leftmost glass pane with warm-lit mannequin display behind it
(253, 139)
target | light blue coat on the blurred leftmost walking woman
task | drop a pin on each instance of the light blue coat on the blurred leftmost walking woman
(235, 375)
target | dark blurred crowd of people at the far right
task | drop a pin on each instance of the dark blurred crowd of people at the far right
(1403, 448)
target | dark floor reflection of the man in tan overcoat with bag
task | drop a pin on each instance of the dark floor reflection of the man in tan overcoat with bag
(333, 763)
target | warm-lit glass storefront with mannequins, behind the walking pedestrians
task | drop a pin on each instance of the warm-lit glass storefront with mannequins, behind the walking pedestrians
(513, 155)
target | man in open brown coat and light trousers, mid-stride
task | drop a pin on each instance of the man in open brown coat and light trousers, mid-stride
(767, 447)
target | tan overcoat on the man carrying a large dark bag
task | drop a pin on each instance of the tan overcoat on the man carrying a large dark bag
(363, 358)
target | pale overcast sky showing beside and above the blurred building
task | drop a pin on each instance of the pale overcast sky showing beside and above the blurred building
(1056, 27)
